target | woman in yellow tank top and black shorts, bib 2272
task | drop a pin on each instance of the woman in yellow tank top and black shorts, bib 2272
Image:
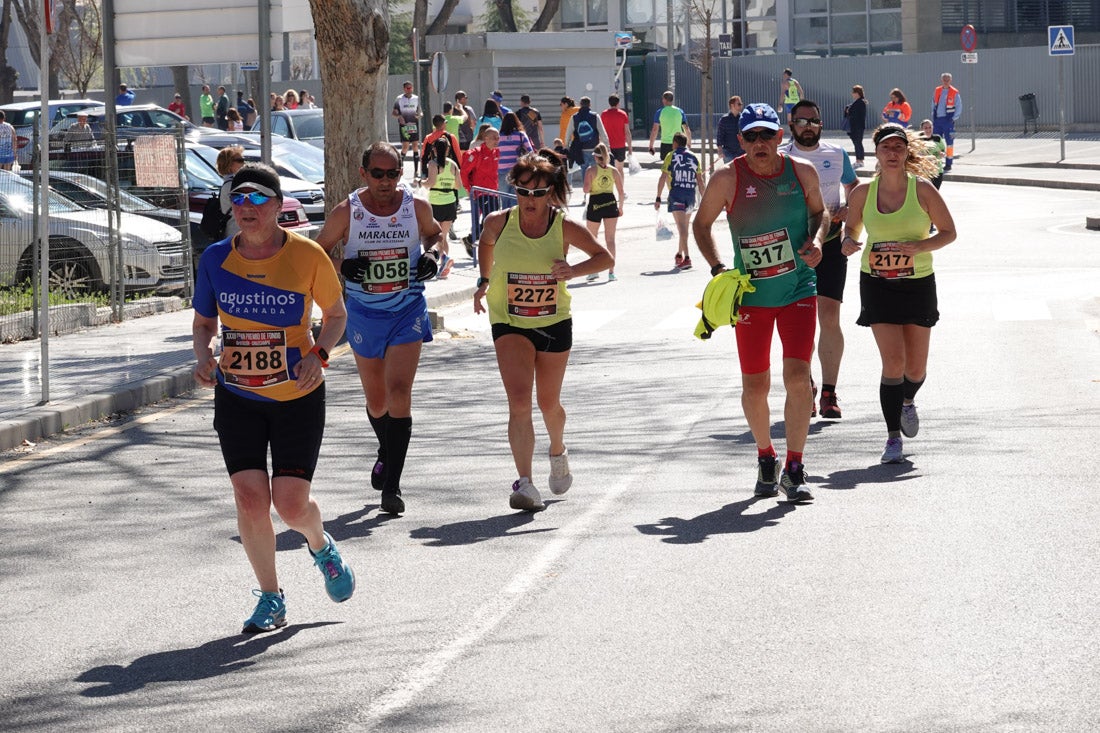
(522, 257)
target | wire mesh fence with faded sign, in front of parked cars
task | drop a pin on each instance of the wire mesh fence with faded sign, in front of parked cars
(108, 245)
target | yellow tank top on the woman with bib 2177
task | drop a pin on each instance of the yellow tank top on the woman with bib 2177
(909, 224)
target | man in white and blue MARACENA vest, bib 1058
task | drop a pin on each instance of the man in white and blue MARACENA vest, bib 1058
(391, 246)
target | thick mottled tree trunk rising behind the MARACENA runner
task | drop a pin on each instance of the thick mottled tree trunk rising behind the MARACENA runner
(354, 49)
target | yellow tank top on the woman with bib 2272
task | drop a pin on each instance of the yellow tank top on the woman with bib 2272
(522, 291)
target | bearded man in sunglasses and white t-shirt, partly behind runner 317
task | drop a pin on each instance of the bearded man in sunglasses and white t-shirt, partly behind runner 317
(835, 172)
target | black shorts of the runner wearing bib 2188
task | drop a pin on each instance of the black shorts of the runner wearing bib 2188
(293, 430)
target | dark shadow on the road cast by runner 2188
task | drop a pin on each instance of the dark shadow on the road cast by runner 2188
(211, 660)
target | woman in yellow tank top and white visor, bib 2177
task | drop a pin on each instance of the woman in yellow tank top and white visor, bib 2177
(897, 283)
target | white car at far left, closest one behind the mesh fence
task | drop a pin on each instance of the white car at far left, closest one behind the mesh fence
(153, 257)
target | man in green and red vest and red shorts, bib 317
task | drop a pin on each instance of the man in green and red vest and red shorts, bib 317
(776, 214)
